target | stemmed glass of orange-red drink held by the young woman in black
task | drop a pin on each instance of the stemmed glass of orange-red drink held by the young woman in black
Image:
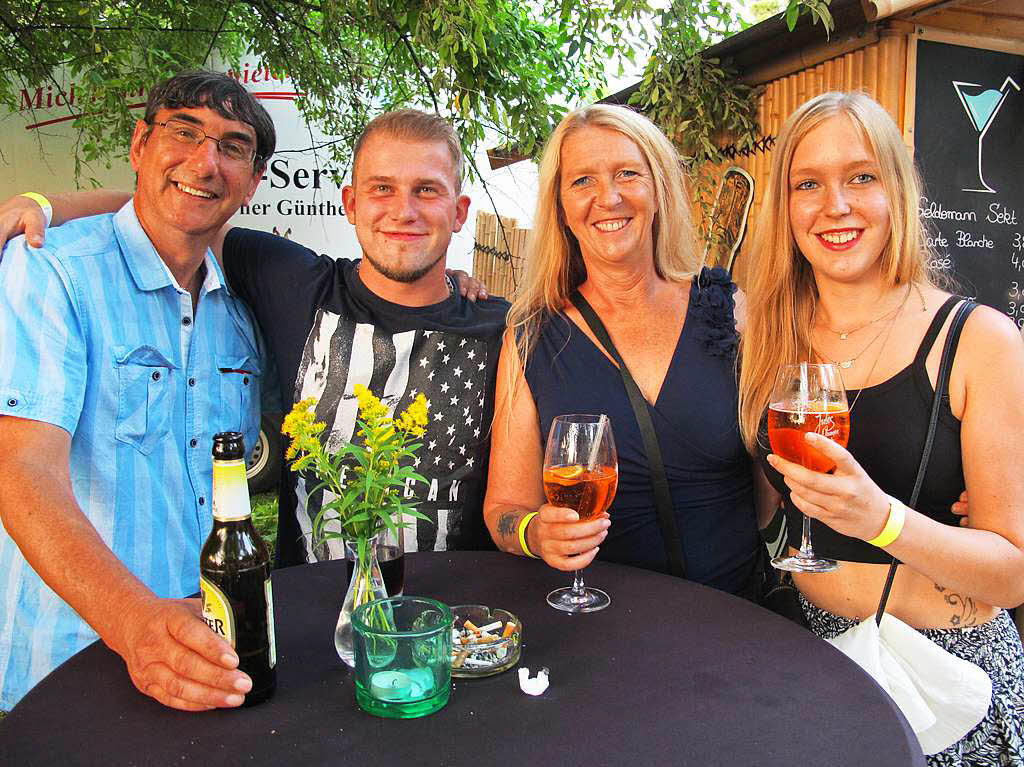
(807, 399)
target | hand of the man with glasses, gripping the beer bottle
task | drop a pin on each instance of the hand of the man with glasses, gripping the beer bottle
(174, 657)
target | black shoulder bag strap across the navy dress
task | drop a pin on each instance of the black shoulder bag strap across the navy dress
(663, 498)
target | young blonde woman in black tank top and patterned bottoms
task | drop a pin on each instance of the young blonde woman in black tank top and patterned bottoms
(840, 276)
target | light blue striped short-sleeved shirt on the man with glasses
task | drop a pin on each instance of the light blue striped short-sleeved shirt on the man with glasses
(98, 338)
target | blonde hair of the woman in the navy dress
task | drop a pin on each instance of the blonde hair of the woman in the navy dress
(556, 268)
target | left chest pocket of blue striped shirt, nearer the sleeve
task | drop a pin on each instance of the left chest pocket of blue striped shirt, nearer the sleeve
(145, 400)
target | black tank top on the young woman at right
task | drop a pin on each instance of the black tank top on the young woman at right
(888, 428)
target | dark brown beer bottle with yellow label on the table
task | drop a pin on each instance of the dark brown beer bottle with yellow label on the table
(235, 572)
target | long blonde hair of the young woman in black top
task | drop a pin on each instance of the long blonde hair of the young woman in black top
(782, 290)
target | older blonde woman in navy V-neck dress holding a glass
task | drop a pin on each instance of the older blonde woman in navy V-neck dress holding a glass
(614, 222)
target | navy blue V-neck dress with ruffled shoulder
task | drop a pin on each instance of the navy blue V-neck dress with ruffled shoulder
(708, 467)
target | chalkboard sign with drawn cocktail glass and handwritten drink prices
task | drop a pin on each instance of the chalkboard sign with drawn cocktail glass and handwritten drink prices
(969, 144)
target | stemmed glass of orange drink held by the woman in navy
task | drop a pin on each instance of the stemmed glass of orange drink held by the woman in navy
(581, 473)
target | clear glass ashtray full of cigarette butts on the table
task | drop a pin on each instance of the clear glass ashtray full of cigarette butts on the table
(485, 642)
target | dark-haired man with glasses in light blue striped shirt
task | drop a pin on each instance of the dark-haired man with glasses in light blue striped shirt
(122, 353)
